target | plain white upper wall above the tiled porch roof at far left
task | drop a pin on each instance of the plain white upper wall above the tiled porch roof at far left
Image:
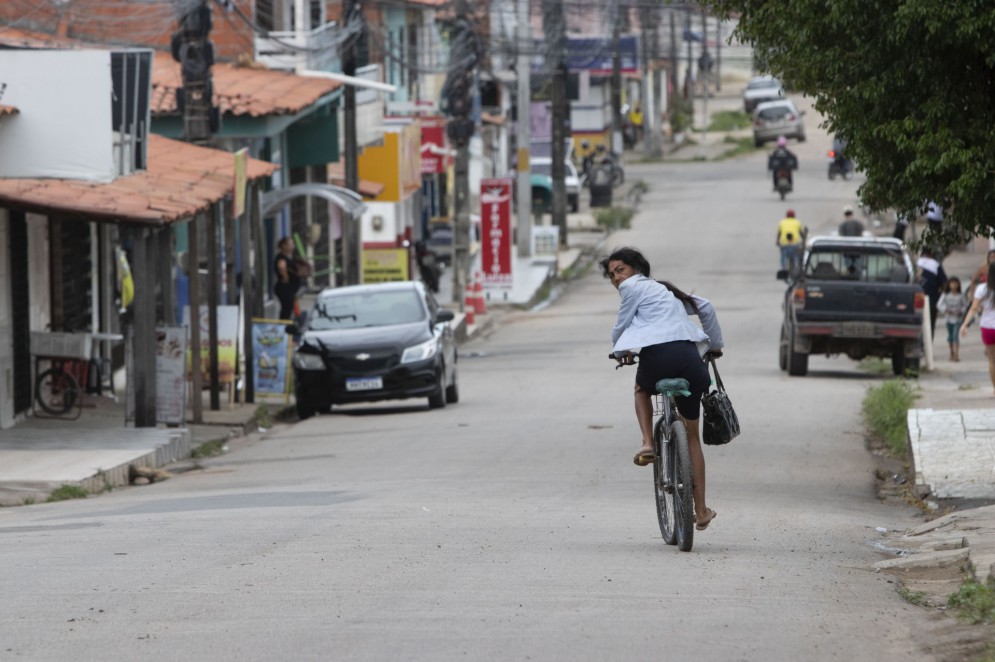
(63, 127)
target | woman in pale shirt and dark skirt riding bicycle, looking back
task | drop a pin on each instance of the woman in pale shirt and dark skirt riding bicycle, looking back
(654, 316)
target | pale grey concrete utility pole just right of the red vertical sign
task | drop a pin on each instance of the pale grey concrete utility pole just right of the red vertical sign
(523, 67)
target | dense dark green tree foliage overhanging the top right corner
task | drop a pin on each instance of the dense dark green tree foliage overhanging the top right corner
(909, 84)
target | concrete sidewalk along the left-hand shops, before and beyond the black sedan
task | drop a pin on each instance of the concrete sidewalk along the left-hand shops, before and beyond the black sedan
(99, 450)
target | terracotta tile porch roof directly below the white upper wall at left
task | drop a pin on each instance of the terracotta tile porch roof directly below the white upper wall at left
(181, 180)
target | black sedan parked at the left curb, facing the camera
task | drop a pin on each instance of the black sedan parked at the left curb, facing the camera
(366, 343)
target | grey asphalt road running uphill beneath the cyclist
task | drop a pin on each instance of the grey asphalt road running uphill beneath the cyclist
(511, 526)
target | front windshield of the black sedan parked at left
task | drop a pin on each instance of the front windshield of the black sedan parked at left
(365, 309)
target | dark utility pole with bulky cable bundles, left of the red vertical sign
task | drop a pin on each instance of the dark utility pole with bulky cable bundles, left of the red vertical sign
(458, 93)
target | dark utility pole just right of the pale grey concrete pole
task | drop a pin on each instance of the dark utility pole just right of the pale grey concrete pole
(555, 31)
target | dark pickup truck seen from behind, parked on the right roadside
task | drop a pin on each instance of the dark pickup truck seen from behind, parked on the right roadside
(855, 296)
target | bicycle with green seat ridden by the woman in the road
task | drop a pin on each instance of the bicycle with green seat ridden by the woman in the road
(673, 481)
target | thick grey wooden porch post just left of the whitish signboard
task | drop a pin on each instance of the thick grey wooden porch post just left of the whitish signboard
(144, 350)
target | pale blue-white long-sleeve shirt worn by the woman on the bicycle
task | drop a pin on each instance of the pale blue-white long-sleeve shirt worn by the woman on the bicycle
(650, 314)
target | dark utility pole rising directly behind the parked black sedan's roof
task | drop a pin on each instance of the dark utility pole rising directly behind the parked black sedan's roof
(352, 13)
